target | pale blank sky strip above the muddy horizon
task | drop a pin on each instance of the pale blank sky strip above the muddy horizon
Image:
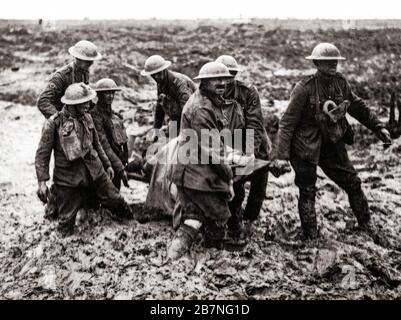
(175, 9)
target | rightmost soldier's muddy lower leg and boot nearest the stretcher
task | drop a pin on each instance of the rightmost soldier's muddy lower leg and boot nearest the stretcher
(307, 214)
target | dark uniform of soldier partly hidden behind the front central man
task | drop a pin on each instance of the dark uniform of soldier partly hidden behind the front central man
(248, 98)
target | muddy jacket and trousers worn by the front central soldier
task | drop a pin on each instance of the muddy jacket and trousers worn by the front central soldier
(203, 188)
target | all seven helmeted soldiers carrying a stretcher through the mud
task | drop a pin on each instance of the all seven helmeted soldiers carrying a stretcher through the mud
(91, 153)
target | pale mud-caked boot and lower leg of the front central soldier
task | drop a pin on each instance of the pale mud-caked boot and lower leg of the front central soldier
(182, 242)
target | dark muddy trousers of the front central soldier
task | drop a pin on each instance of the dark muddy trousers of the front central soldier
(210, 208)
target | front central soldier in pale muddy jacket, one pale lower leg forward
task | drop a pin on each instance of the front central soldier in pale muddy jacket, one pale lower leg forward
(204, 190)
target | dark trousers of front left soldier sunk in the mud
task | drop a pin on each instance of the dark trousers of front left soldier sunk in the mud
(71, 199)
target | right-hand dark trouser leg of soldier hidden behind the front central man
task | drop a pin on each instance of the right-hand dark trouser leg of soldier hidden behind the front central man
(257, 194)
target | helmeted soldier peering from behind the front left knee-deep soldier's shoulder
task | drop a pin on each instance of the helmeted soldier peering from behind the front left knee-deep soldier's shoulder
(110, 129)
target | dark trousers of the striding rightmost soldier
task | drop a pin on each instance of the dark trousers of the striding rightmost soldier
(335, 163)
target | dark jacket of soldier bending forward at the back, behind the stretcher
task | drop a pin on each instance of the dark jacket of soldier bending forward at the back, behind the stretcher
(172, 95)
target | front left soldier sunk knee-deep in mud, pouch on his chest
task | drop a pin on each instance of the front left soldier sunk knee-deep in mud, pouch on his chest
(79, 160)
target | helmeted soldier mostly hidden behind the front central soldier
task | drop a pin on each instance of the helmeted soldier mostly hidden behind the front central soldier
(248, 98)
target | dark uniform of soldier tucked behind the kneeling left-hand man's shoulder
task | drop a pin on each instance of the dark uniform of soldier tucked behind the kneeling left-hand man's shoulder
(112, 137)
